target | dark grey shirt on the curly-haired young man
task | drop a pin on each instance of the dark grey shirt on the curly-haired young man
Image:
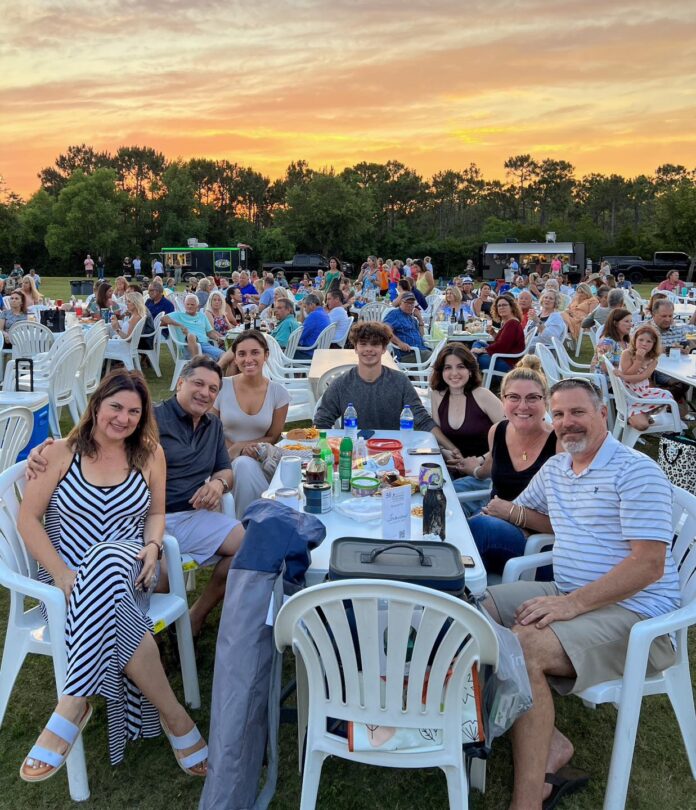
(378, 404)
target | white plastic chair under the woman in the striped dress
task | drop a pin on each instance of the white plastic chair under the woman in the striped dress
(27, 632)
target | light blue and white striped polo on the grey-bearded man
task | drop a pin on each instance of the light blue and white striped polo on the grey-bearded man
(622, 496)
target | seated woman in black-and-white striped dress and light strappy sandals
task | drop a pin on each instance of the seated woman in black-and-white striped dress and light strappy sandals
(102, 497)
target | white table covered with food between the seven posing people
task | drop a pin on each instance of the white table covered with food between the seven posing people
(457, 528)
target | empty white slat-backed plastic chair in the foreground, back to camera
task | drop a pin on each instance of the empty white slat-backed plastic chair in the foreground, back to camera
(331, 627)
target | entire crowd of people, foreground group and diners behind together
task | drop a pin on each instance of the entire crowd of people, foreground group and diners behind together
(168, 466)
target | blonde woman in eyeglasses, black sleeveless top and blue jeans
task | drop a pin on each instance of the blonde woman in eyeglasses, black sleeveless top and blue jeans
(520, 445)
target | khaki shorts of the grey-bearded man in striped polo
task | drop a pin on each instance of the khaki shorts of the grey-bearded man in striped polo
(595, 642)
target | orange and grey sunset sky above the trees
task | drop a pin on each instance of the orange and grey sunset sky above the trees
(436, 84)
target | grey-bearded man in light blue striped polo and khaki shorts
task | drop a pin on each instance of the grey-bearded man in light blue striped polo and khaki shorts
(609, 508)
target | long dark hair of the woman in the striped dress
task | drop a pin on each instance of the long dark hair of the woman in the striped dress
(142, 443)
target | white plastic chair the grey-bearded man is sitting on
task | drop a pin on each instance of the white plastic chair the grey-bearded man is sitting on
(675, 682)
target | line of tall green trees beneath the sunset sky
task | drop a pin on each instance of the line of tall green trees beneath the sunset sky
(137, 201)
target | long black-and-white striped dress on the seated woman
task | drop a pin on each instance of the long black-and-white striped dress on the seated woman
(98, 531)
